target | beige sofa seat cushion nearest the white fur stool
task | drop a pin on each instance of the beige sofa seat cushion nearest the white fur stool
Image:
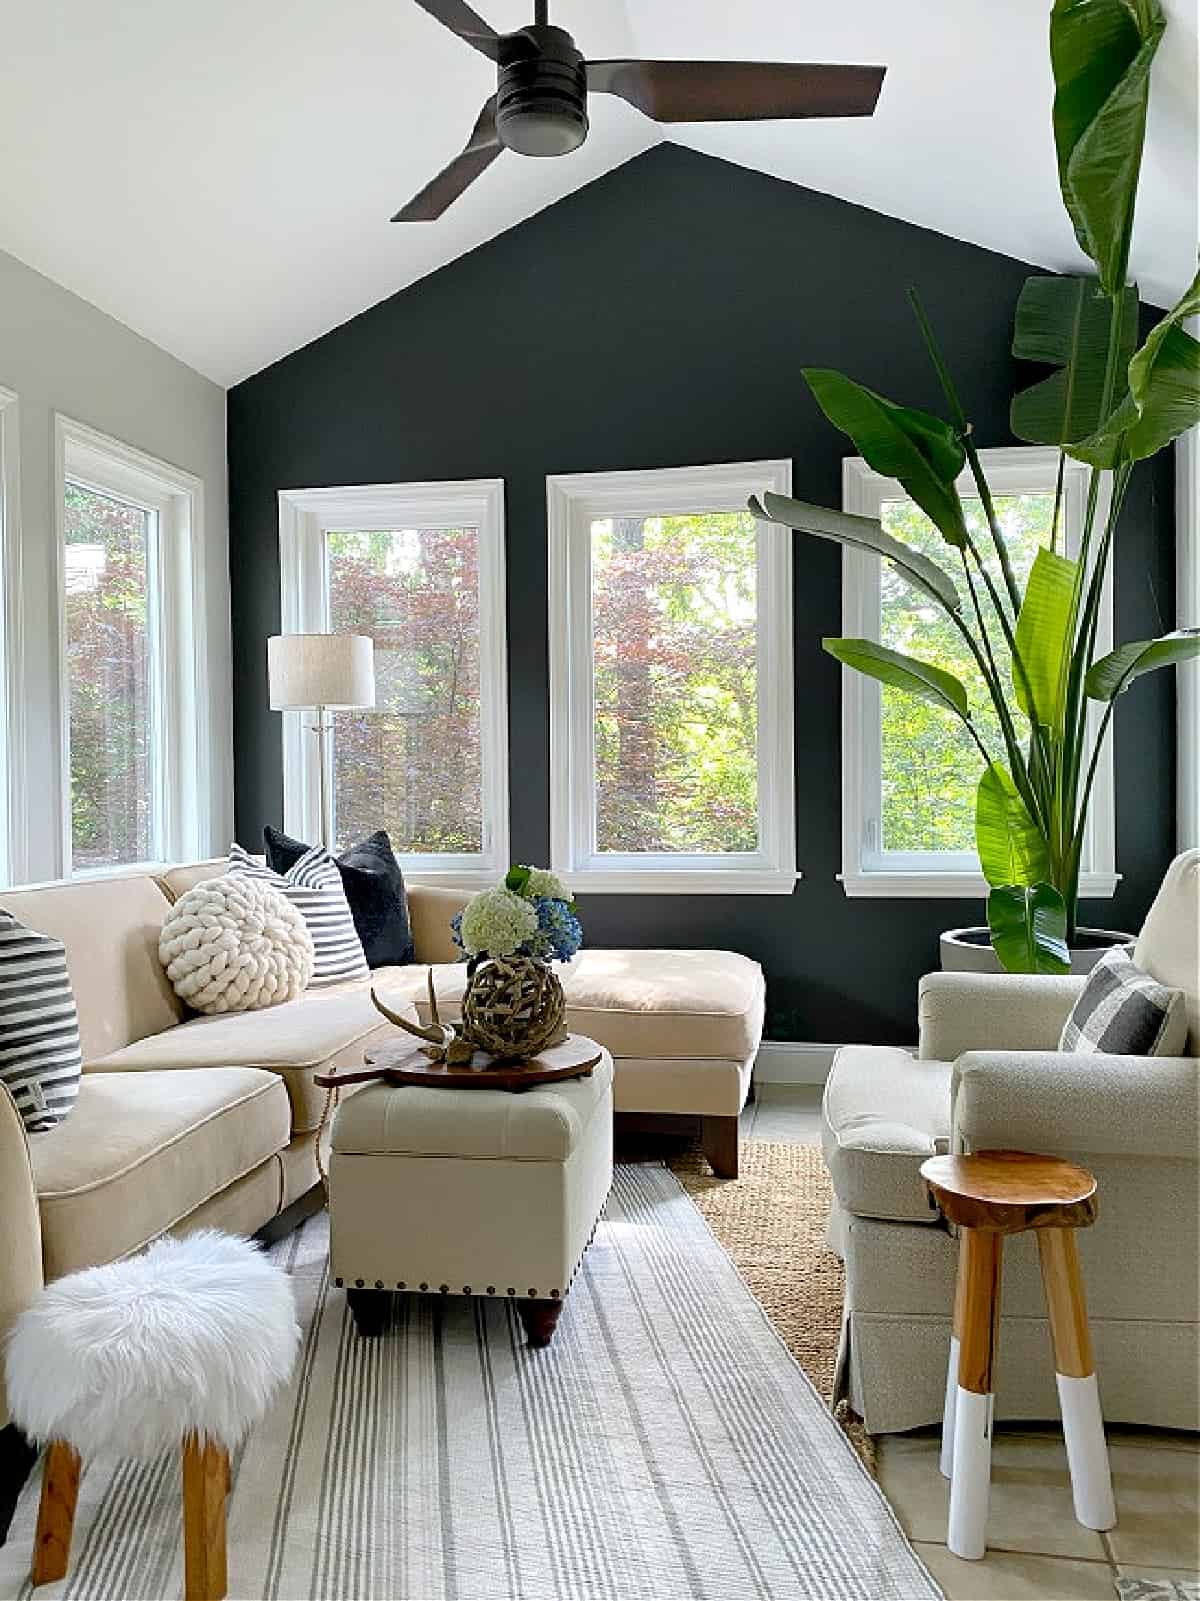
(140, 1152)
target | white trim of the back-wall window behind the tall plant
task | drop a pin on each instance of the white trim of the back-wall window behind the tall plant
(951, 875)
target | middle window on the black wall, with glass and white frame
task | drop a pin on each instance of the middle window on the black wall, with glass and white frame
(671, 683)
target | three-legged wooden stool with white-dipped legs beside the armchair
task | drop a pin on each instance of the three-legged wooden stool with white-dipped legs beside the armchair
(991, 1195)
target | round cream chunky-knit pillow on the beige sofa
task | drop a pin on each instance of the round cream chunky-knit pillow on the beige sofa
(234, 945)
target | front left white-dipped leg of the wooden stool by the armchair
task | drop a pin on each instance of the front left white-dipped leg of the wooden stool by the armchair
(980, 1298)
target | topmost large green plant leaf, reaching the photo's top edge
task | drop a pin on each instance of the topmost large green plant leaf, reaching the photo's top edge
(1102, 54)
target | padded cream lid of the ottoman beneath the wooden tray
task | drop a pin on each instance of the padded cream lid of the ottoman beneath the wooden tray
(543, 1125)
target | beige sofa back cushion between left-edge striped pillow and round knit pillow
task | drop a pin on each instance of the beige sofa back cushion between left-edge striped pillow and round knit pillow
(111, 933)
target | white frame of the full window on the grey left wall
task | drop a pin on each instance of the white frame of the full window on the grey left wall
(180, 702)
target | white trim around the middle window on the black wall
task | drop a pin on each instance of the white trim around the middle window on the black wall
(574, 502)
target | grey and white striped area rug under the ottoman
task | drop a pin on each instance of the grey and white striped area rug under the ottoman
(663, 1447)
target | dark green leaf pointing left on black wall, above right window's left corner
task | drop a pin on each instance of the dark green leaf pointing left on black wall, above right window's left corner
(900, 443)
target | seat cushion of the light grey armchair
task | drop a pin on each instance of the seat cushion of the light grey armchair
(884, 1113)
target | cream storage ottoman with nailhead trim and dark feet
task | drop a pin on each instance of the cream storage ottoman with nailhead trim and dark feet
(470, 1194)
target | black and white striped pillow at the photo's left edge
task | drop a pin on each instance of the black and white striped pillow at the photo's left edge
(41, 1061)
